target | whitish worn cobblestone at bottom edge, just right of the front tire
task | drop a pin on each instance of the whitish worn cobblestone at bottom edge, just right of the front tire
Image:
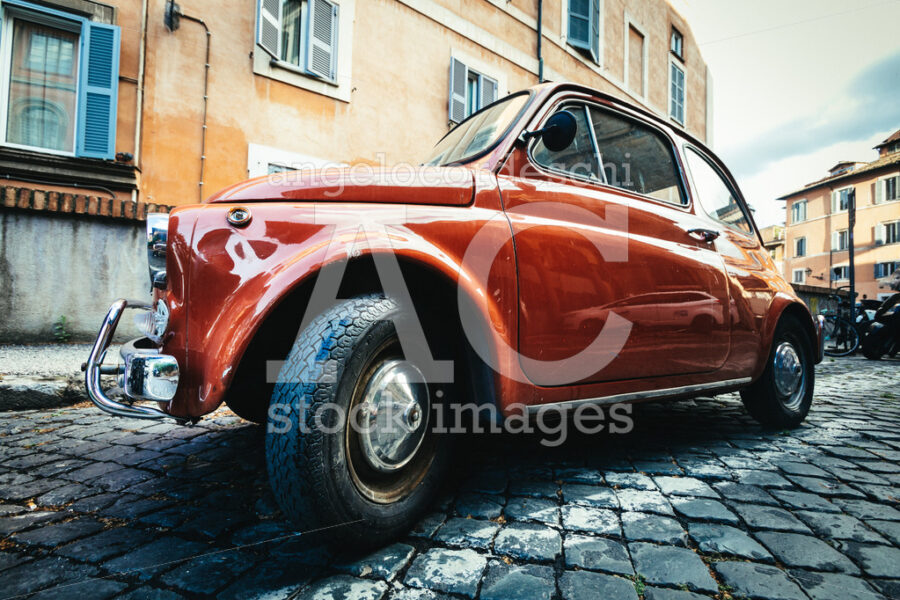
(452, 571)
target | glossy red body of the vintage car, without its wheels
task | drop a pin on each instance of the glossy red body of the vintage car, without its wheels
(542, 254)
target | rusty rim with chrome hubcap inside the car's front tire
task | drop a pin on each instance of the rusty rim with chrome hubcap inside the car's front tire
(386, 463)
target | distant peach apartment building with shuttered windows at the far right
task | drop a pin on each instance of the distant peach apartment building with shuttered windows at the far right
(817, 226)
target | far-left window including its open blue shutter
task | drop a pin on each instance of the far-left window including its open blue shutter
(60, 89)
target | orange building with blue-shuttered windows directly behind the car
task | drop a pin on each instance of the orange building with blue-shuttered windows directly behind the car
(113, 109)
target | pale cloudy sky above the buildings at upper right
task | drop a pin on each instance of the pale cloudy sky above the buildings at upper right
(798, 85)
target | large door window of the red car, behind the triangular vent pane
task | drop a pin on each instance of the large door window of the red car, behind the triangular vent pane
(636, 158)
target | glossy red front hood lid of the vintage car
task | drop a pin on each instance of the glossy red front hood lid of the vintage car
(408, 185)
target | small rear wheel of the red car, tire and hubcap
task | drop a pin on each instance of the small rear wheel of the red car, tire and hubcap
(782, 395)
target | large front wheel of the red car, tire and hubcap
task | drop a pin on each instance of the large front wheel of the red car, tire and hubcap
(350, 443)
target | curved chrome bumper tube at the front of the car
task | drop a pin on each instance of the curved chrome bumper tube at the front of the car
(93, 367)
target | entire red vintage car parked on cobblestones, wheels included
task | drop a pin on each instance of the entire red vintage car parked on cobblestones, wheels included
(559, 249)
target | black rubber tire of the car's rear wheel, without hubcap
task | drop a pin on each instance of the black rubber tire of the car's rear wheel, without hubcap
(763, 399)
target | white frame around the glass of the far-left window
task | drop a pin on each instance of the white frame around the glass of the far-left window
(10, 12)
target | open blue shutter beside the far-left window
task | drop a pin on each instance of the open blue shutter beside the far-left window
(98, 90)
